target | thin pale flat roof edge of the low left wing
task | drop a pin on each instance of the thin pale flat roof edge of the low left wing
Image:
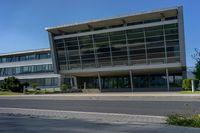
(25, 52)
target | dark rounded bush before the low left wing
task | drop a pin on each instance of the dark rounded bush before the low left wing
(12, 84)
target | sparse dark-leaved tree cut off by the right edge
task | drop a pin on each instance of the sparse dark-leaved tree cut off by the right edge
(196, 57)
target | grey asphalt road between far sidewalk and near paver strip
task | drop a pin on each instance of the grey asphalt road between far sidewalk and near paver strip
(159, 108)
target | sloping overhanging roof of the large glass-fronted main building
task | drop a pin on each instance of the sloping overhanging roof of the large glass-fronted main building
(117, 20)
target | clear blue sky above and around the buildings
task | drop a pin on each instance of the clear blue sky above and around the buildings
(22, 22)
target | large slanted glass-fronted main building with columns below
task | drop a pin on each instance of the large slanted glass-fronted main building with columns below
(139, 52)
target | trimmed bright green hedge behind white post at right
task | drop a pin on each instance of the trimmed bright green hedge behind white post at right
(186, 84)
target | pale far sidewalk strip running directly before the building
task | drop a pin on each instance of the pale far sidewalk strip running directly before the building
(120, 96)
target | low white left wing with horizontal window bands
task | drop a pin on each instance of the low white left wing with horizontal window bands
(34, 66)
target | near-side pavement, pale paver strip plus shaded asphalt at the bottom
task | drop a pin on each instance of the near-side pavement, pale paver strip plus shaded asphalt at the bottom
(47, 121)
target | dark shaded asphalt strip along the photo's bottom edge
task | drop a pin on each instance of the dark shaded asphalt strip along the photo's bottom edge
(25, 124)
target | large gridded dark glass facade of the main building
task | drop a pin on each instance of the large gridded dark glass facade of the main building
(148, 45)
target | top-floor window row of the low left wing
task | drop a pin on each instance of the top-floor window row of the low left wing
(17, 58)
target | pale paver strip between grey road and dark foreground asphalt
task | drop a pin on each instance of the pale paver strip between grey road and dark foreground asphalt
(90, 116)
